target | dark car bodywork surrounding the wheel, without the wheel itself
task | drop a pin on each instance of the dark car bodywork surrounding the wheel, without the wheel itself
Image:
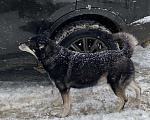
(21, 19)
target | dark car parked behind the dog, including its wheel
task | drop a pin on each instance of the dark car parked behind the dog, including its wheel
(74, 24)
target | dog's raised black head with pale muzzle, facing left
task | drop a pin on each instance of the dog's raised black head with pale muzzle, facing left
(34, 45)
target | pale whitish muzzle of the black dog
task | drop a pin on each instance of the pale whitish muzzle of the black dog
(24, 47)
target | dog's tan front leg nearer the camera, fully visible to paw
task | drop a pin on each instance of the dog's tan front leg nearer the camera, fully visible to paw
(66, 103)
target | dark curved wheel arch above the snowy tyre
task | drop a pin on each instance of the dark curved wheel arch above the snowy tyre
(108, 19)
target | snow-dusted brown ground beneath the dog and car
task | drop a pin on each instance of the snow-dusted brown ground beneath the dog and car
(30, 101)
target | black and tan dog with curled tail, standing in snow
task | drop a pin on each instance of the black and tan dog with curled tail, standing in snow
(70, 69)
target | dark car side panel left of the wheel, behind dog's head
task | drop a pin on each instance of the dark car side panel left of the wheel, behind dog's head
(21, 19)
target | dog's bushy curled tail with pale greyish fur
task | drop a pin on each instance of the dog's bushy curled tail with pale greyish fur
(129, 43)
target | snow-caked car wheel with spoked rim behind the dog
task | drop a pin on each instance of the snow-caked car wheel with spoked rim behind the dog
(85, 36)
